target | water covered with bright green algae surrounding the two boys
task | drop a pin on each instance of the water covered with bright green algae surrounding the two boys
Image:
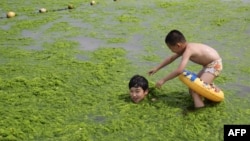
(64, 73)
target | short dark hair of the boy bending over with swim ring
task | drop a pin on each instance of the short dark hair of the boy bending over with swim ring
(174, 37)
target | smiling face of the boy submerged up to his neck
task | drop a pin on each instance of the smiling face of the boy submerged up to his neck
(137, 94)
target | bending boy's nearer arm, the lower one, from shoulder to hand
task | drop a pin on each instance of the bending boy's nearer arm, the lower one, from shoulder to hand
(176, 72)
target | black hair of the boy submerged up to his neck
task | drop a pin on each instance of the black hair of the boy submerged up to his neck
(138, 81)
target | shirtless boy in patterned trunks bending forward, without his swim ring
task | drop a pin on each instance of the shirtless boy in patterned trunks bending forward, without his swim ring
(200, 54)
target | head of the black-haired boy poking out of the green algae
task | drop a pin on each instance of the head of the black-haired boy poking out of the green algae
(138, 88)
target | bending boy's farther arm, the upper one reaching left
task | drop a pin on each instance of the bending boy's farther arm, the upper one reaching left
(165, 62)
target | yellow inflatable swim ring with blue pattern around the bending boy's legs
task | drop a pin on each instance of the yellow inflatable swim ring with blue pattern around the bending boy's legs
(202, 88)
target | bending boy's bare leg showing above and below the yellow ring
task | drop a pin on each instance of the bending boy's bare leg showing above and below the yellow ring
(198, 100)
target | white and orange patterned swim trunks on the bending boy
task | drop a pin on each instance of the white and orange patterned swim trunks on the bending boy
(214, 67)
